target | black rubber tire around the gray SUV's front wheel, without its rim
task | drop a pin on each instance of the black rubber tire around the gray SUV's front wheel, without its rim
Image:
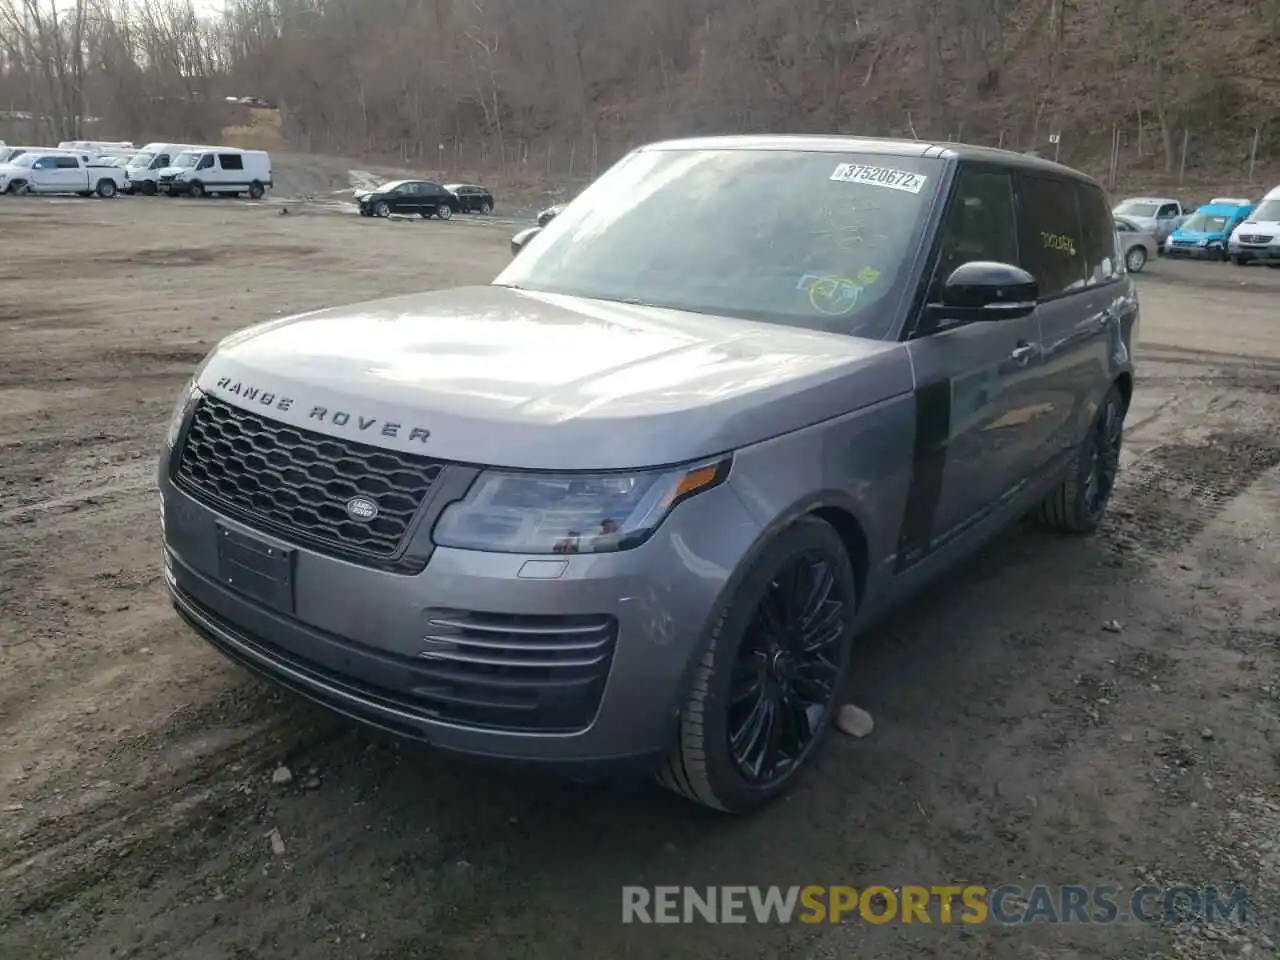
(701, 766)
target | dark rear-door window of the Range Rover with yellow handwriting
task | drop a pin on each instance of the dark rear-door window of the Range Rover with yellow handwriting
(1054, 244)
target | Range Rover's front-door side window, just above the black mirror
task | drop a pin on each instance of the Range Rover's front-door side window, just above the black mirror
(980, 225)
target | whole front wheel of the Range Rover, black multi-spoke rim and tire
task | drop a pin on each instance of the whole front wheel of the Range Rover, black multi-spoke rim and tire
(766, 688)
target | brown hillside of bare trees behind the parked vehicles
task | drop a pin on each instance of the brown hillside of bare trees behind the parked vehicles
(510, 83)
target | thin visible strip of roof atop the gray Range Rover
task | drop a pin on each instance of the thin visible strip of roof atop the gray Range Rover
(941, 150)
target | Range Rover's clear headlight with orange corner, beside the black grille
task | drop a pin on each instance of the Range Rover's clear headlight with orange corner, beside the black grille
(511, 513)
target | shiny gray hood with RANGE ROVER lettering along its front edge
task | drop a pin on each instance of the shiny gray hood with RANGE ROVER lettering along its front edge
(510, 378)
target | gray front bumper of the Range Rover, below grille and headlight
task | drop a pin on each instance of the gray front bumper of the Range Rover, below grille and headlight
(355, 639)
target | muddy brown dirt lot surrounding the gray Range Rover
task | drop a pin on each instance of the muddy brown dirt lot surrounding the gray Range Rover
(1018, 739)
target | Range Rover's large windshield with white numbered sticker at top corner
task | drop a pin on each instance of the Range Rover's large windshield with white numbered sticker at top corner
(815, 240)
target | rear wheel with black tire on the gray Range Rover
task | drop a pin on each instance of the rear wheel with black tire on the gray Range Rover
(1073, 508)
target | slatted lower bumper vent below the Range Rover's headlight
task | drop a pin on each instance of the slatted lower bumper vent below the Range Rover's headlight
(528, 673)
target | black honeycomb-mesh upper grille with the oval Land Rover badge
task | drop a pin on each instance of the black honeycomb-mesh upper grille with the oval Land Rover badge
(296, 484)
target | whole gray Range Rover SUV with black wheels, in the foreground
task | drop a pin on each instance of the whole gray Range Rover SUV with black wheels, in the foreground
(634, 501)
